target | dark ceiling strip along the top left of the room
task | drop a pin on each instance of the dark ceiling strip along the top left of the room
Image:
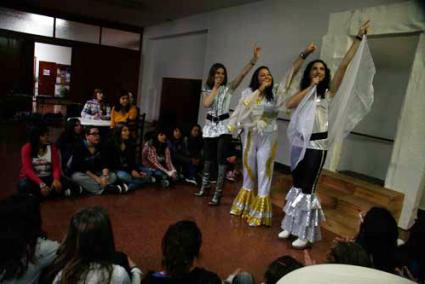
(138, 13)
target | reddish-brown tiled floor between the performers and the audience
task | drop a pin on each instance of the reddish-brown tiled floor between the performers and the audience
(140, 219)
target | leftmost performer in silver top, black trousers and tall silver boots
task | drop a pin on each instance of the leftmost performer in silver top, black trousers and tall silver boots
(216, 97)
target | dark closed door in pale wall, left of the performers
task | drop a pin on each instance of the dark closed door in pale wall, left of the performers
(179, 102)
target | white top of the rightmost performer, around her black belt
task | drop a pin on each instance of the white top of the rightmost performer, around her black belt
(321, 122)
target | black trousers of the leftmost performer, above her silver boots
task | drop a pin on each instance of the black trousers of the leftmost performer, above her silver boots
(217, 148)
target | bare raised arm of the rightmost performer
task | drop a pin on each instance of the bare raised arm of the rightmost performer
(340, 72)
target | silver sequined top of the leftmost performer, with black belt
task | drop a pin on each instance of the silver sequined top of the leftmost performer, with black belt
(219, 106)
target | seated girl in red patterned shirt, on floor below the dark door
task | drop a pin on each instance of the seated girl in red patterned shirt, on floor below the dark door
(156, 159)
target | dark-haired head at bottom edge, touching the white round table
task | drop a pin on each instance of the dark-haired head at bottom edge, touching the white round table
(280, 267)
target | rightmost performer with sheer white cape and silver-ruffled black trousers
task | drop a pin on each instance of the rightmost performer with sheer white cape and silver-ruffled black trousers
(309, 136)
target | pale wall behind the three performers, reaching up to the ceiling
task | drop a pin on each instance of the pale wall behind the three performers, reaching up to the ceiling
(281, 28)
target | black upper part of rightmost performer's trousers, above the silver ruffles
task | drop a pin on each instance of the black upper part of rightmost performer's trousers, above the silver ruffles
(307, 172)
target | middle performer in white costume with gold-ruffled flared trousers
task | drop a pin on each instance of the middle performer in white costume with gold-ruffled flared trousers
(256, 113)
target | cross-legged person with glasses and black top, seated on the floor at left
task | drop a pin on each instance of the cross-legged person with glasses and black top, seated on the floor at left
(89, 166)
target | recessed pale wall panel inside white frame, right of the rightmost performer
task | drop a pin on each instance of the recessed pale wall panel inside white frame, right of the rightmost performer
(393, 58)
